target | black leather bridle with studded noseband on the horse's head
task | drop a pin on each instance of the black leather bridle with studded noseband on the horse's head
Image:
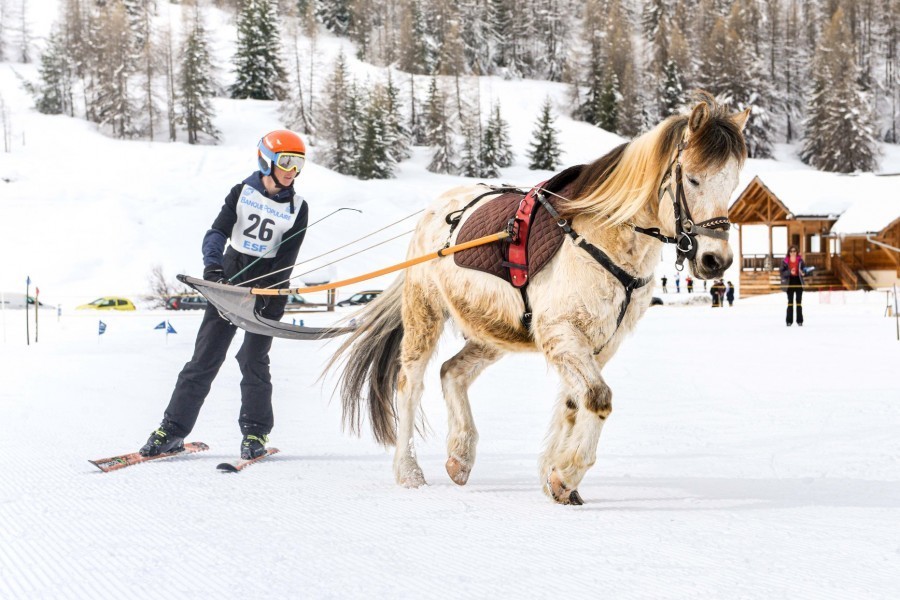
(686, 231)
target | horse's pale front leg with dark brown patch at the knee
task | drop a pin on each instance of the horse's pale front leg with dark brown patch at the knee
(582, 409)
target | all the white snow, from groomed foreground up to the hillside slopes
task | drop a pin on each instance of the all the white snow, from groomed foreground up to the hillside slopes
(743, 458)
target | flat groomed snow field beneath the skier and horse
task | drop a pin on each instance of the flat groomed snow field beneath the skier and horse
(756, 461)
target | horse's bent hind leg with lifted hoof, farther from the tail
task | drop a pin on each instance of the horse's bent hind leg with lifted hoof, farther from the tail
(457, 374)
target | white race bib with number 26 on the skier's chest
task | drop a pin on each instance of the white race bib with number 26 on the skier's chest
(261, 223)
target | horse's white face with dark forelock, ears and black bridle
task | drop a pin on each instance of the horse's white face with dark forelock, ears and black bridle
(706, 151)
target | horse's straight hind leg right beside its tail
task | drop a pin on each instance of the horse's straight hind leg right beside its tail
(423, 323)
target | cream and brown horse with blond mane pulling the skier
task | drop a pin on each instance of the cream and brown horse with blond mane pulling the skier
(581, 307)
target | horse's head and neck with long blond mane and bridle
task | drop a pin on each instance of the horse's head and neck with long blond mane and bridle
(676, 178)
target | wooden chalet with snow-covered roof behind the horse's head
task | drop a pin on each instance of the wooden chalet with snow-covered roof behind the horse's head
(847, 226)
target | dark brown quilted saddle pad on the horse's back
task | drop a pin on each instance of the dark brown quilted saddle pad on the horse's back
(544, 238)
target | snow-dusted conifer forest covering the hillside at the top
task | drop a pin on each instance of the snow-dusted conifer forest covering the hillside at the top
(819, 73)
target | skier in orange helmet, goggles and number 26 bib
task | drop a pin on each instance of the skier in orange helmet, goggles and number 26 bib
(263, 223)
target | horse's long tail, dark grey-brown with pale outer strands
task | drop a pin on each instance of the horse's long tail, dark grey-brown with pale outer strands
(371, 357)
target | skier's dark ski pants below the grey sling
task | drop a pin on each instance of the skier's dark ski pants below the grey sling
(195, 379)
